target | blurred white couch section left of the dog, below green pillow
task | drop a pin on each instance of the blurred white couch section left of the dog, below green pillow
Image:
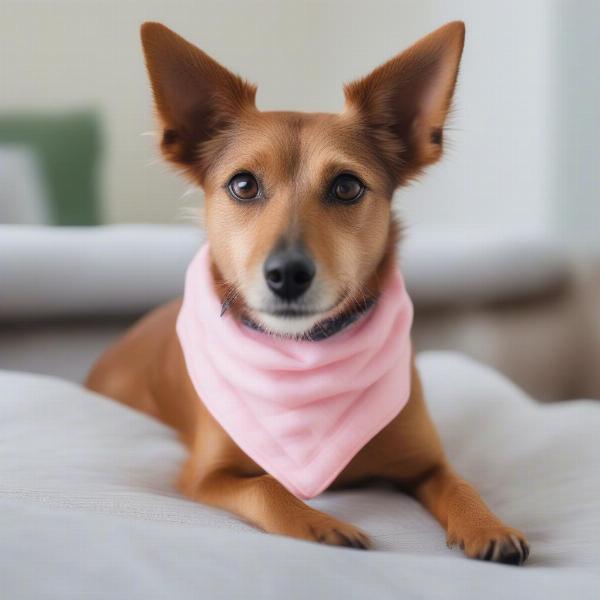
(50, 272)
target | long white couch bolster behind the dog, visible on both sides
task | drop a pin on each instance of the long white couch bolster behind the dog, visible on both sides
(127, 269)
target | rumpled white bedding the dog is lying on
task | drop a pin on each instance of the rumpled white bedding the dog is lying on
(88, 507)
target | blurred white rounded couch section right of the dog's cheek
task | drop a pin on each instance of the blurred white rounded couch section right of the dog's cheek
(466, 267)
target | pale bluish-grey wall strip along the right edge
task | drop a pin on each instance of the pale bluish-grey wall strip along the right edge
(574, 175)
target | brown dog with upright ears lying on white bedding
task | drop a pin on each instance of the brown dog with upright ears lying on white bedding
(390, 129)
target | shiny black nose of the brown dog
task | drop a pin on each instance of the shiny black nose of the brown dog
(289, 273)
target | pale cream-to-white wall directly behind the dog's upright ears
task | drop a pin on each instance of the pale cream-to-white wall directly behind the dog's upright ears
(495, 172)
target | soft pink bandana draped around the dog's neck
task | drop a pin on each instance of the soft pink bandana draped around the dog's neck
(300, 409)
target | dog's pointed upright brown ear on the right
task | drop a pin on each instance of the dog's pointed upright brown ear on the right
(404, 102)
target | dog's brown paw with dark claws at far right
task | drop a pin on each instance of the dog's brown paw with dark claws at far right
(501, 544)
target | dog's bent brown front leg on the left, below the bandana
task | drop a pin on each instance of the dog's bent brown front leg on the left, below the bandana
(219, 474)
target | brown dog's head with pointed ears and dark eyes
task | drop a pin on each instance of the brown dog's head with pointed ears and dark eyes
(298, 205)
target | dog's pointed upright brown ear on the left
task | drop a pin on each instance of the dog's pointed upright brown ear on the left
(196, 98)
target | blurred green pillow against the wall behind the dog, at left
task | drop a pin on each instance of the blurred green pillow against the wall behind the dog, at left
(67, 146)
